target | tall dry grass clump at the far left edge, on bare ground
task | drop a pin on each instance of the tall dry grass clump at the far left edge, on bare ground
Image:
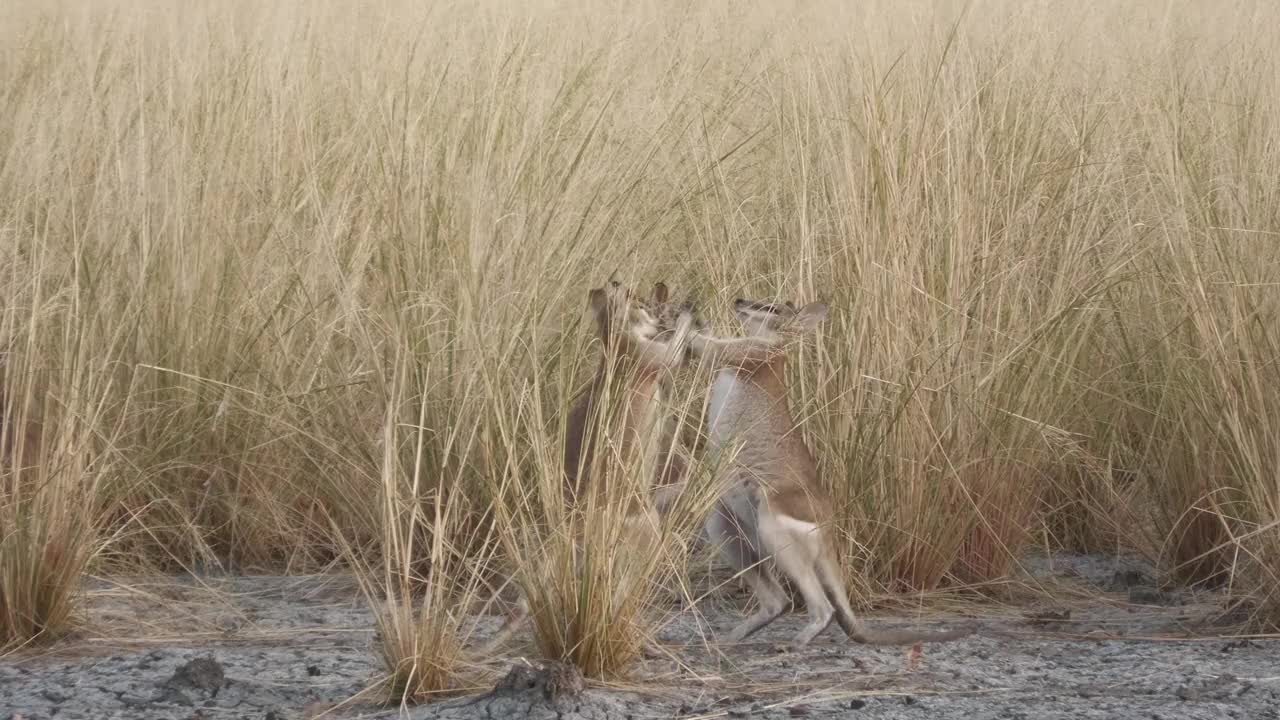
(54, 450)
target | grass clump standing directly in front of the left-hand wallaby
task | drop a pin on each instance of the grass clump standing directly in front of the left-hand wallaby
(593, 572)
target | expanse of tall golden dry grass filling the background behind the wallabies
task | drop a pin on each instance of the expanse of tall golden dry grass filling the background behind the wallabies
(301, 286)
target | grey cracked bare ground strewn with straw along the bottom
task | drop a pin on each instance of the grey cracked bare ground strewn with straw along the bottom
(1110, 646)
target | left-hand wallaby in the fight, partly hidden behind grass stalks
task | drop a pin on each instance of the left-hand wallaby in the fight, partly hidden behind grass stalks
(625, 397)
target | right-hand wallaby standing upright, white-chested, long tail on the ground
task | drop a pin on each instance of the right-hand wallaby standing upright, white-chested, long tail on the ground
(775, 508)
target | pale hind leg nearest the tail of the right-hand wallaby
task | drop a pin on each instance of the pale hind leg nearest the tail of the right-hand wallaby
(797, 549)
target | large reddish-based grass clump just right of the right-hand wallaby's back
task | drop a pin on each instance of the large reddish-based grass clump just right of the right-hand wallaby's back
(950, 376)
